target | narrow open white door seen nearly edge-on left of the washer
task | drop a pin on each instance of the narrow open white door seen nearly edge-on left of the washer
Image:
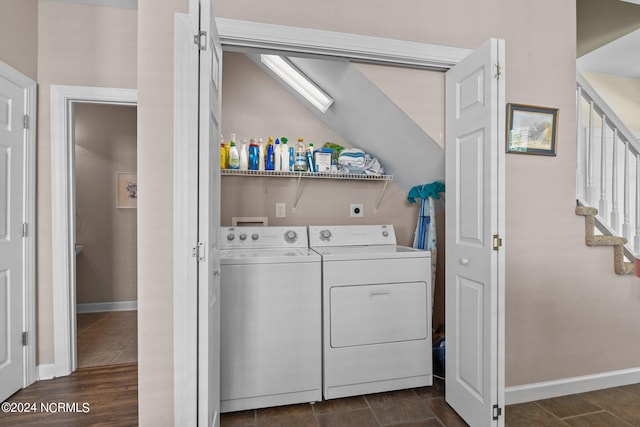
(209, 220)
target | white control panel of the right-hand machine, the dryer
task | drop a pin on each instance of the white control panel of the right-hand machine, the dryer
(351, 235)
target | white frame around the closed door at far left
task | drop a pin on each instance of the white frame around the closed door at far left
(28, 86)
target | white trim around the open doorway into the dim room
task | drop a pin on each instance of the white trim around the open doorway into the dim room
(62, 212)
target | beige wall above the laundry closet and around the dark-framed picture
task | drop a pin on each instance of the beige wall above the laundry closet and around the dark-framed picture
(560, 295)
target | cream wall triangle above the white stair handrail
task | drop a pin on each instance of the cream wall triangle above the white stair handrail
(622, 94)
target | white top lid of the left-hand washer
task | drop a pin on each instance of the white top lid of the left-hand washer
(267, 256)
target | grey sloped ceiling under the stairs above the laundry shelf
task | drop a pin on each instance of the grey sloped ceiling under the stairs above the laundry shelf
(367, 119)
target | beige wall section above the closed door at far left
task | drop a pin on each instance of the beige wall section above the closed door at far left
(19, 35)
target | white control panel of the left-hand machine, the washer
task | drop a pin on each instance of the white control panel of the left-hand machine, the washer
(263, 237)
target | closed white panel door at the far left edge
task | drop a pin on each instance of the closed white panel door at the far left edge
(12, 251)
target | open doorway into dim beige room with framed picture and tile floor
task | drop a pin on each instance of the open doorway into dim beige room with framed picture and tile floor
(105, 233)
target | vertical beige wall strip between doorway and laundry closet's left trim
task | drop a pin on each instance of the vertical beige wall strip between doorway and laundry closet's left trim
(155, 208)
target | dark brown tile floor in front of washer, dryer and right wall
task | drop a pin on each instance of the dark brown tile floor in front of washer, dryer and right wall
(424, 407)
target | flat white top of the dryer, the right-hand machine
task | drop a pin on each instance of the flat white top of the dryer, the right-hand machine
(347, 253)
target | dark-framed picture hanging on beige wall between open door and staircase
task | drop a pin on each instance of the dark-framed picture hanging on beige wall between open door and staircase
(532, 130)
